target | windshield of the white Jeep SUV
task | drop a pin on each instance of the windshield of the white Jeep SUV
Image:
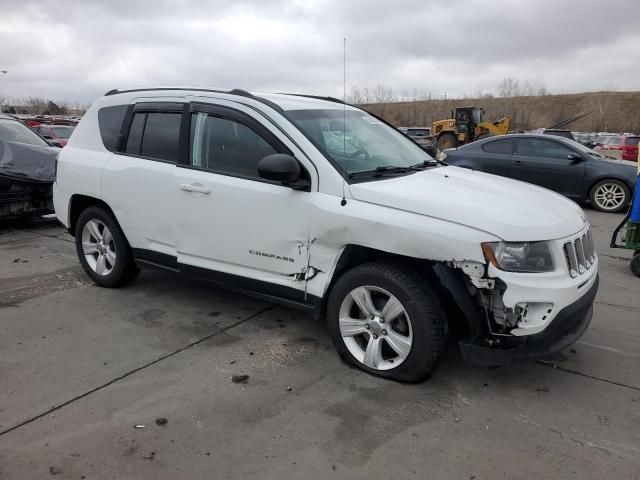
(362, 144)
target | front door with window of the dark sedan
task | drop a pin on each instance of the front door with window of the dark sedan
(545, 162)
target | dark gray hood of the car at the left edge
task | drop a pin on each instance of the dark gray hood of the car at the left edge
(28, 162)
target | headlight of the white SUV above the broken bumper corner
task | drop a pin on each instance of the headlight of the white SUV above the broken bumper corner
(532, 257)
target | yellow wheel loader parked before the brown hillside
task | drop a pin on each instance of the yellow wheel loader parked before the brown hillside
(467, 125)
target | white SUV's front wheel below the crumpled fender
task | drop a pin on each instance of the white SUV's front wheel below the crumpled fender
(406, 348)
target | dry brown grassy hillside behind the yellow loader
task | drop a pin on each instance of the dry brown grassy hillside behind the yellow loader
(612, 111)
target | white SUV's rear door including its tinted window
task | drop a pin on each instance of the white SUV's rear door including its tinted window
(137, 180)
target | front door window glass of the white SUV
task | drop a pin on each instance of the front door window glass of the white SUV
(226, 146)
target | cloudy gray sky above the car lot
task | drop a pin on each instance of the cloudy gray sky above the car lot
(75, 50)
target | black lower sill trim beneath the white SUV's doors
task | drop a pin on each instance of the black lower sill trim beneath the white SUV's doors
(255, 288)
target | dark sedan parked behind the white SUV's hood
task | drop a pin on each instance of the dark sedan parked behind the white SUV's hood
(556, 163)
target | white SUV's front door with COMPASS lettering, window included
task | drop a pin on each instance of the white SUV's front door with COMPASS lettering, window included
(231, 225)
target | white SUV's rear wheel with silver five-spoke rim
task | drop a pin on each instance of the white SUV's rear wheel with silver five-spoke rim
(103, 250)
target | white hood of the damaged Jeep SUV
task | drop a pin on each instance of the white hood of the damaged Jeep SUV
(508, 209)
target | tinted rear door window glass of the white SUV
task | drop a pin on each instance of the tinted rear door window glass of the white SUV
(155, 135)
